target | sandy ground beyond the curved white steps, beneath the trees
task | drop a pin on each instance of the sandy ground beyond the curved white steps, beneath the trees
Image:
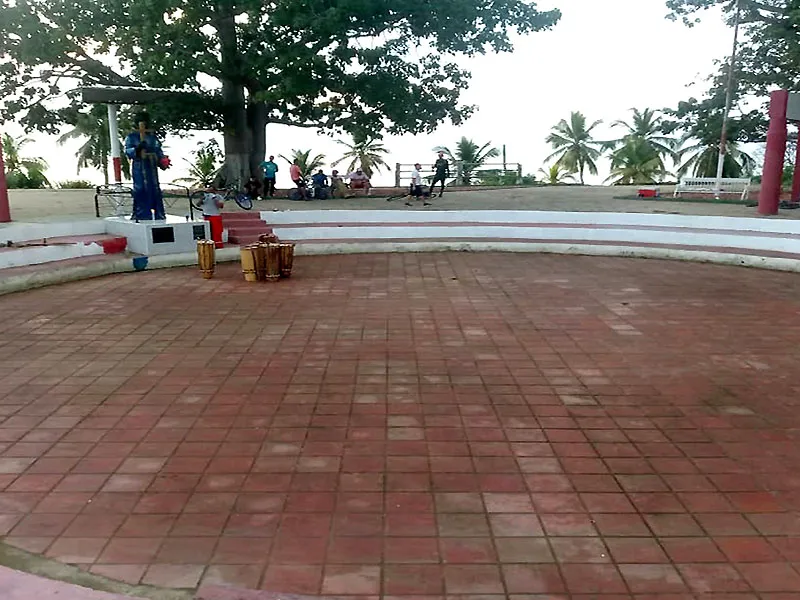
(60, 205)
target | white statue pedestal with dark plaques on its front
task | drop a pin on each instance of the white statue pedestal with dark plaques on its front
(175, 235)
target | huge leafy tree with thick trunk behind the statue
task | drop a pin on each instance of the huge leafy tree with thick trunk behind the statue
(340, 64)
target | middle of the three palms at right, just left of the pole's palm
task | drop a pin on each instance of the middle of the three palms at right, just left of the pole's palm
(645, 133)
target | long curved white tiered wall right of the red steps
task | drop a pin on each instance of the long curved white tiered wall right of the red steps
(626, 229)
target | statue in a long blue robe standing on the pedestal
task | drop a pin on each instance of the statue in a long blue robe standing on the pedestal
(148, 202)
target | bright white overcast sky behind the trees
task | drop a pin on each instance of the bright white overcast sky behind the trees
(603, 58)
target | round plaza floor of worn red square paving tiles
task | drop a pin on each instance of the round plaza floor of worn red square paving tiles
(472, 426)
